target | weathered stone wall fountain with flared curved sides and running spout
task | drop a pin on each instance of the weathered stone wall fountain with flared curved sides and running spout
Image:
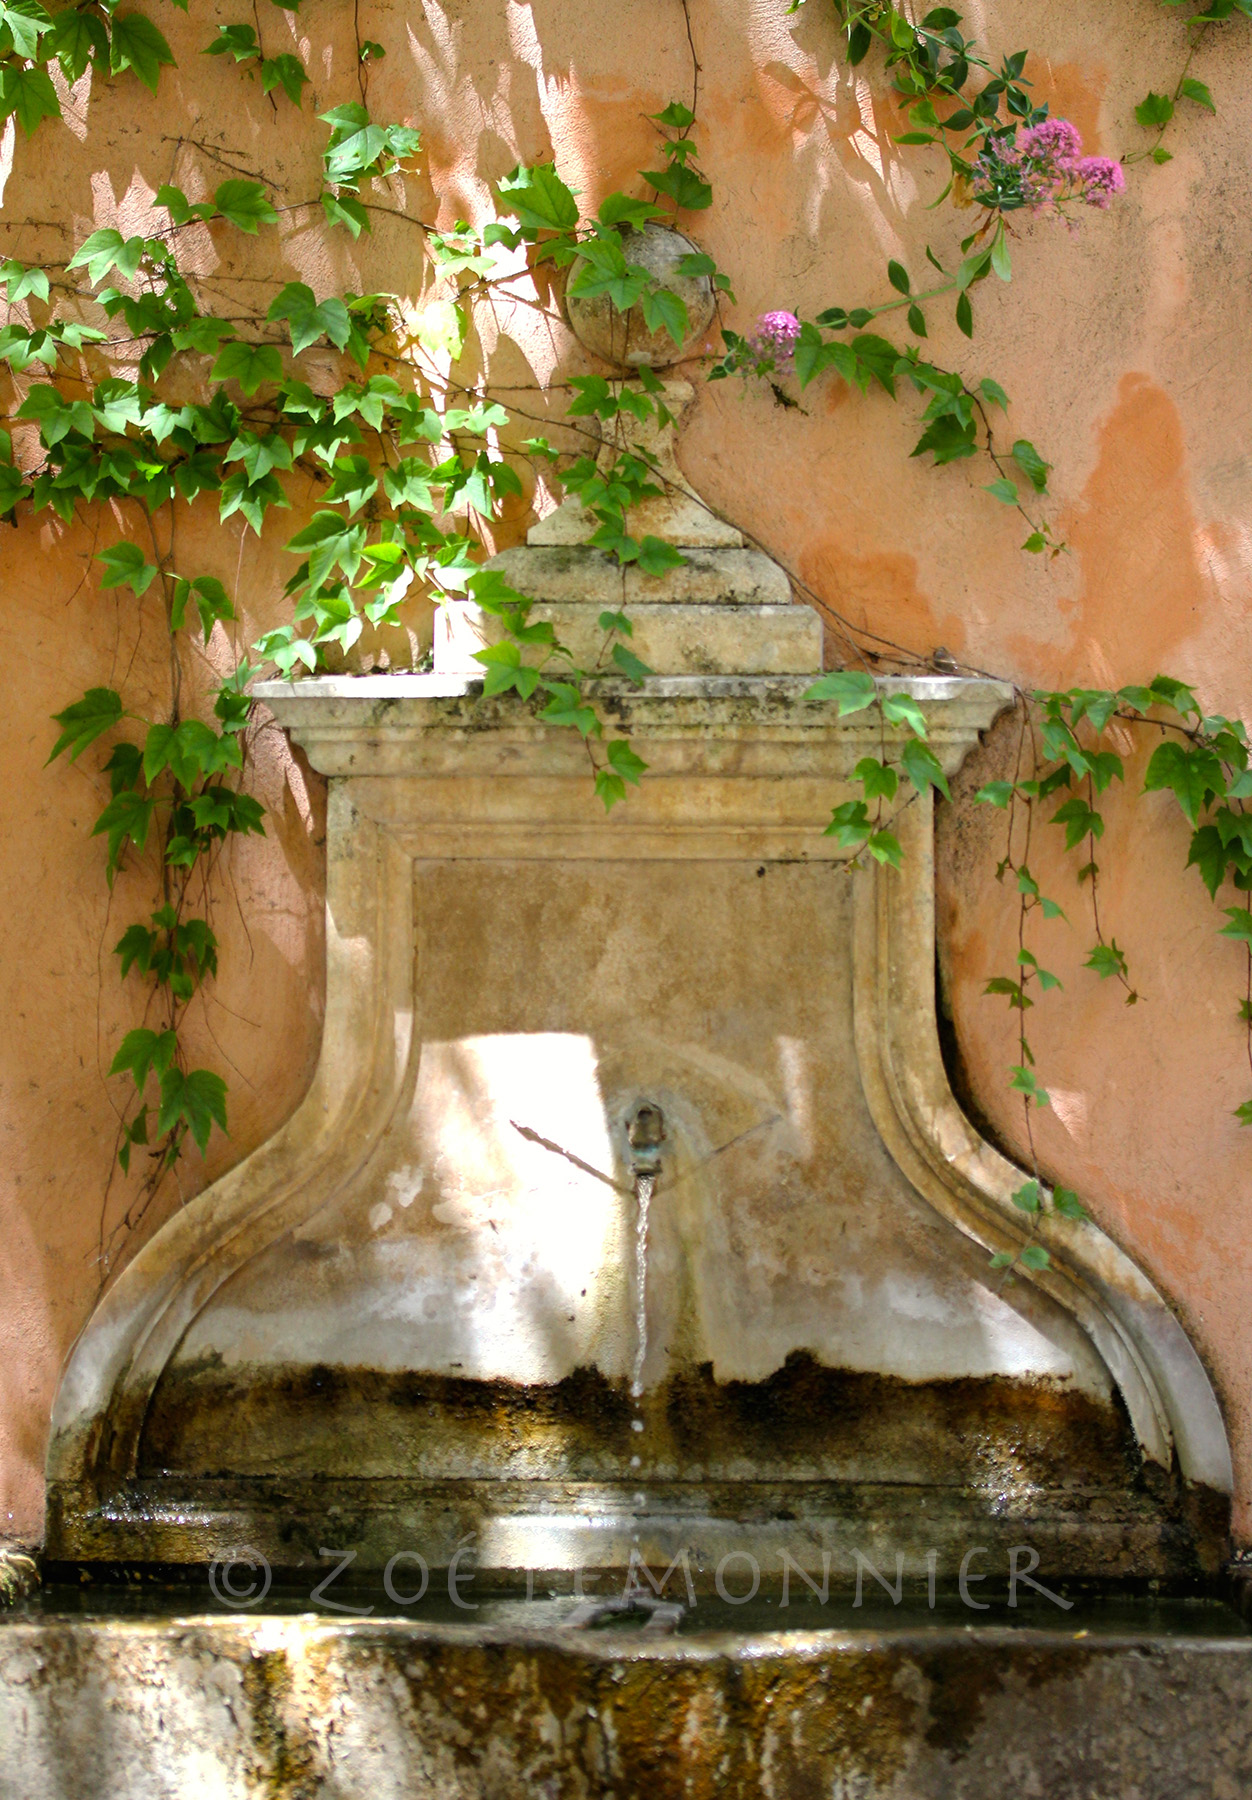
(630, 1221)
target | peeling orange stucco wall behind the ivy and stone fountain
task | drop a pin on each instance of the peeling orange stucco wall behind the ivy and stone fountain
(1123, 350)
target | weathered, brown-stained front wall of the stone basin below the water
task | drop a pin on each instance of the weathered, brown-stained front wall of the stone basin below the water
(303, 1709)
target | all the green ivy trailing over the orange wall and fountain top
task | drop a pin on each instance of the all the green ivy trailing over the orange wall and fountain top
(413, 467)
